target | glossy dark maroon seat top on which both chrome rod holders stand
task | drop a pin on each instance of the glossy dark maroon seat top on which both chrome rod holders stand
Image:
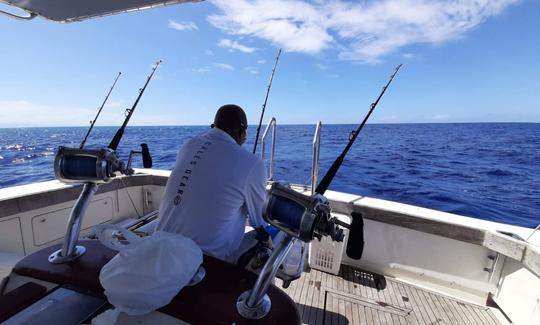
(214, 298)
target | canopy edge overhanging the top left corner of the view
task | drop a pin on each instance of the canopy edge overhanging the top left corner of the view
(76, 10)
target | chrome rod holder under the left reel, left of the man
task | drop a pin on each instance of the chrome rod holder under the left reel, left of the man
(70, 251)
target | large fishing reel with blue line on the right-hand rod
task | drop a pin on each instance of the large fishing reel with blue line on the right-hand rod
(300, 216)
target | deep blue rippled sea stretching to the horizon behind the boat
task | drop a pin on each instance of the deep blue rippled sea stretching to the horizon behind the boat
(486, 170)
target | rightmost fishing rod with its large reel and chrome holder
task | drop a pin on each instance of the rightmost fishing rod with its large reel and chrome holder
(305, 218)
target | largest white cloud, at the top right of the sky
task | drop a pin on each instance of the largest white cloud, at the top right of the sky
(363, 31)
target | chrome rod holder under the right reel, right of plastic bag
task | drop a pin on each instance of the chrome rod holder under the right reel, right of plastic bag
(255, 303)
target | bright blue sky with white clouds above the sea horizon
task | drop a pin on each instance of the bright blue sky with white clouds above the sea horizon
(463, 61)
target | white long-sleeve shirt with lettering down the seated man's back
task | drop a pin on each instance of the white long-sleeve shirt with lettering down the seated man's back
(214, 186)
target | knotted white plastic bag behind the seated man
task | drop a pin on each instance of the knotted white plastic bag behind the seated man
(147, 272)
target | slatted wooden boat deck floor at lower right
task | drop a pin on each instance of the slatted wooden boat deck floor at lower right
(358, 297)
